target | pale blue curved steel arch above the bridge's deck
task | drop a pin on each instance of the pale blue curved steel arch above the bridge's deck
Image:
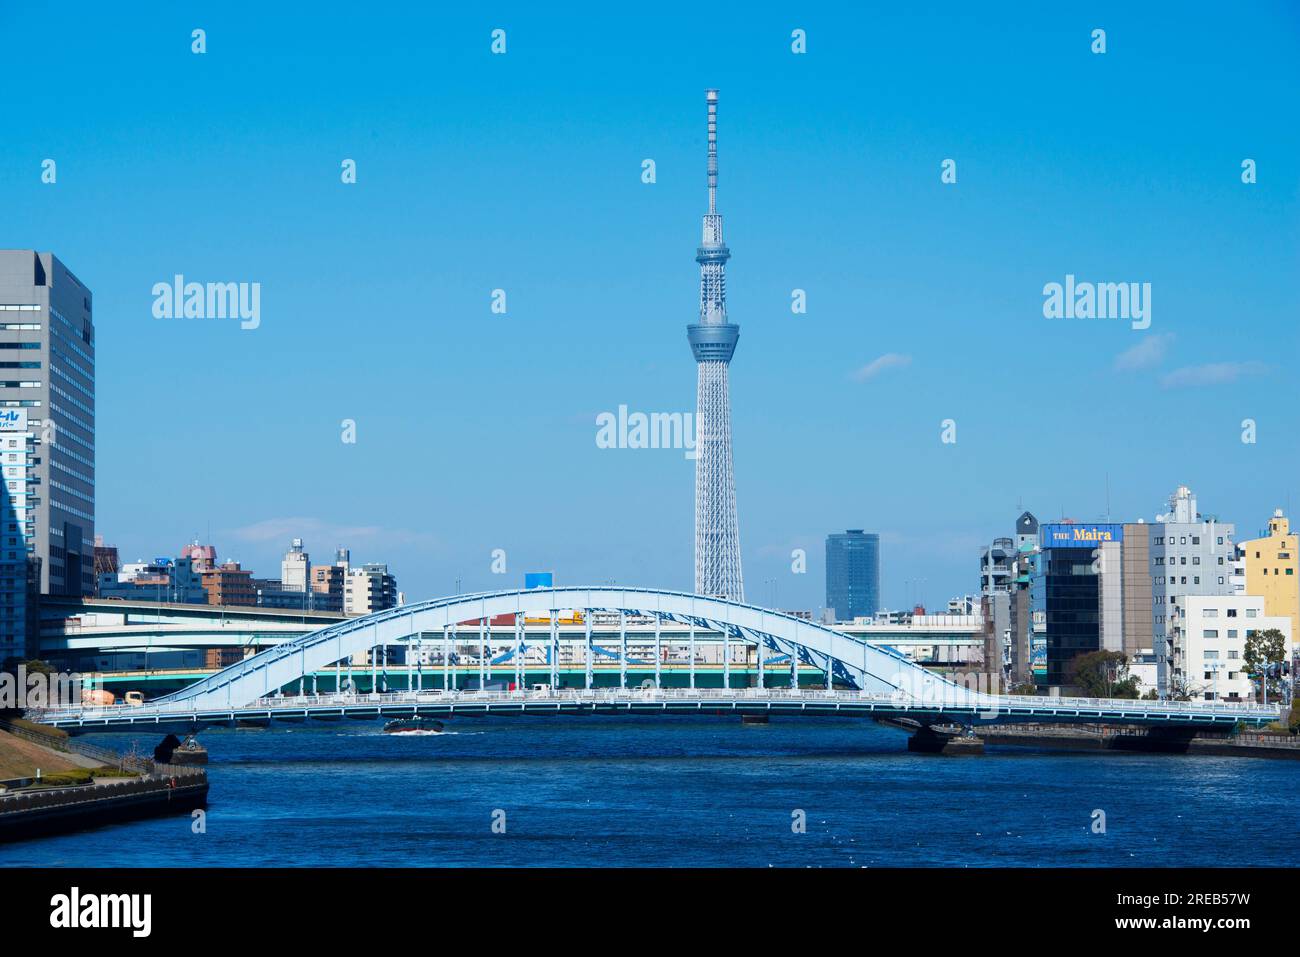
(857, 664)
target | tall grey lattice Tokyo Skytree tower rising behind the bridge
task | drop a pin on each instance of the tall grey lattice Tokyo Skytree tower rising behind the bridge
(713, 340)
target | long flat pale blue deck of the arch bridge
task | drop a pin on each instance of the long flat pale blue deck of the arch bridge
(973, 709)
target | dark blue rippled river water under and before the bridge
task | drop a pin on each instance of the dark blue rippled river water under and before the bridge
(691, 793)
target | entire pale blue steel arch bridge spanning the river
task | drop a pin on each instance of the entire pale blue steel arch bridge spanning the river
(863, 678)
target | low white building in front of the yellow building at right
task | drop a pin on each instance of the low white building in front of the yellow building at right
(1208, 644)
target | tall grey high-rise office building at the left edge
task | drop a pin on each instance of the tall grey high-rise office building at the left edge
(47, 369)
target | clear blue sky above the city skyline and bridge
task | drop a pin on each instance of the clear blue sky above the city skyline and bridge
(476, 432)
